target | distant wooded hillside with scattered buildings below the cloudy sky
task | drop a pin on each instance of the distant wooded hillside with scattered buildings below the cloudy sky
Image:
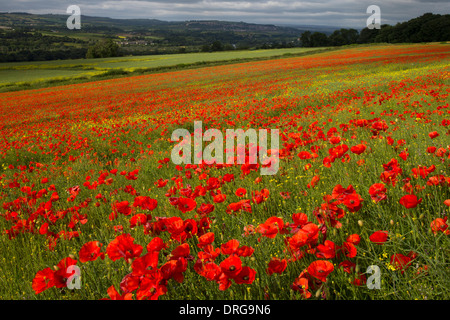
(30, 37)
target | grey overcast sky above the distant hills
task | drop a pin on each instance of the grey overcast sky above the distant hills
(341, 13)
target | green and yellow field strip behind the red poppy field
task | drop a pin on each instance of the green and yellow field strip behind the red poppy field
(25, 75)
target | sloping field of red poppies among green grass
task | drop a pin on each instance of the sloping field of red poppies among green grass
(92, 207)
